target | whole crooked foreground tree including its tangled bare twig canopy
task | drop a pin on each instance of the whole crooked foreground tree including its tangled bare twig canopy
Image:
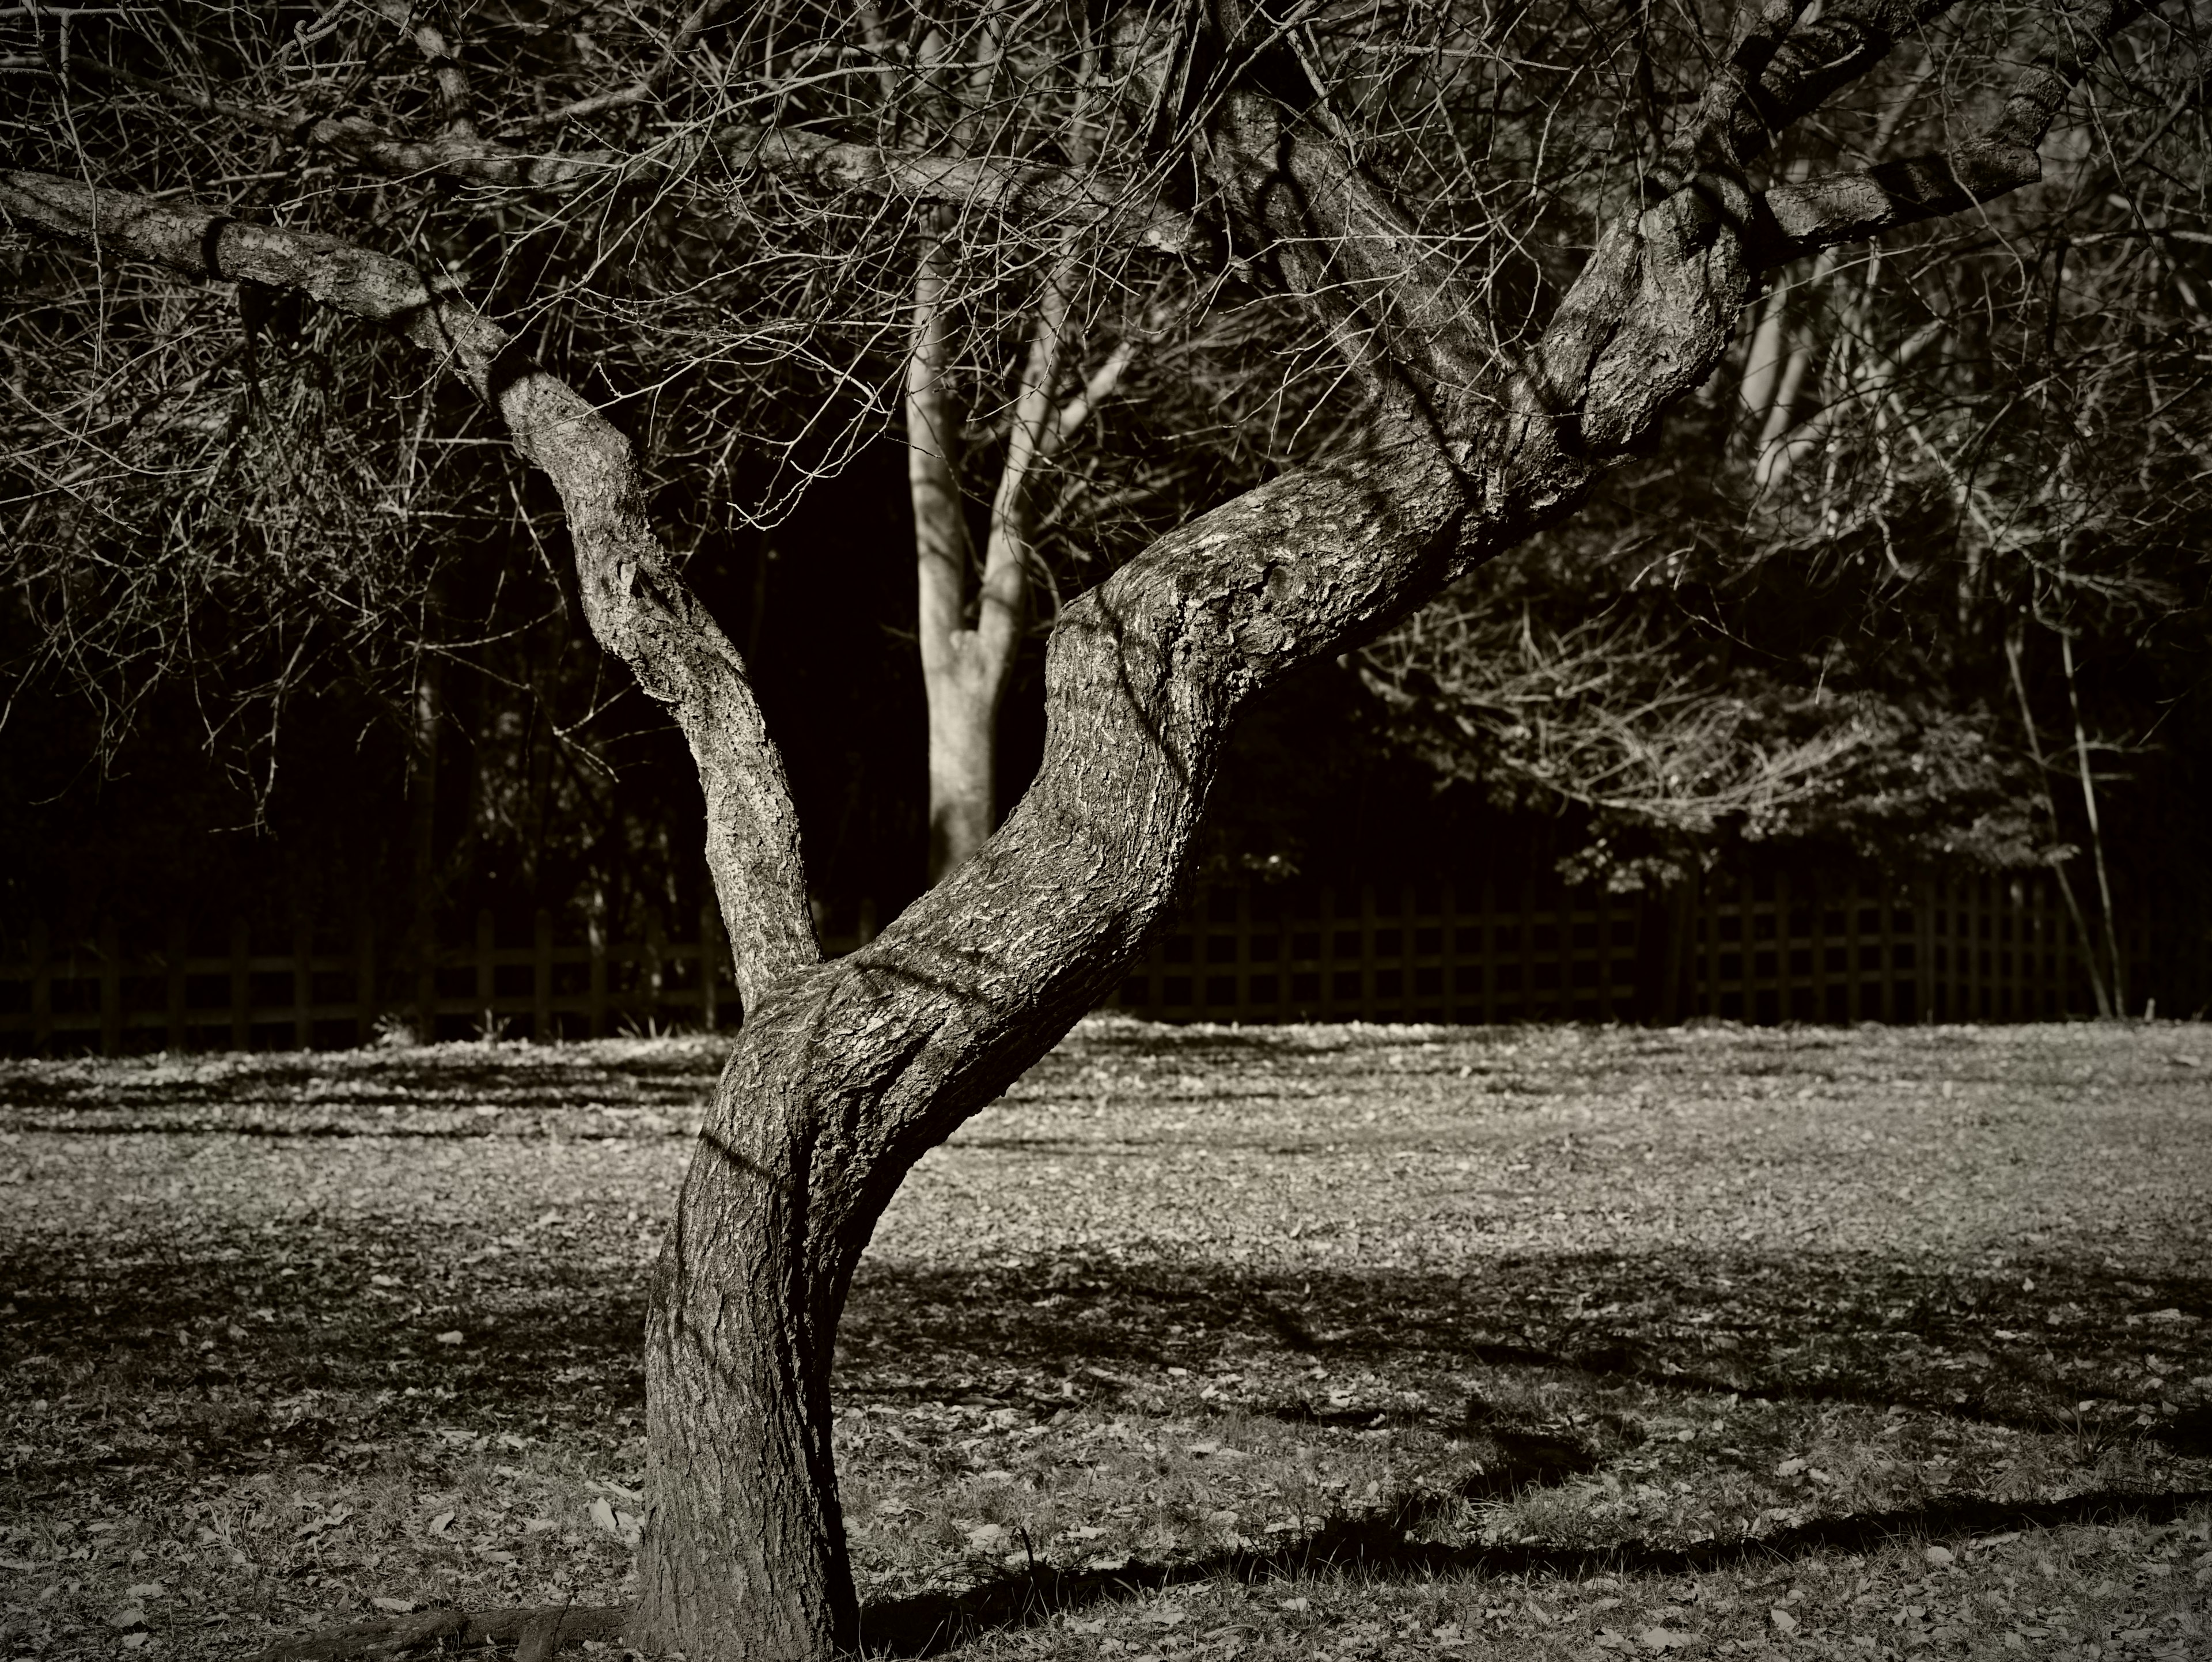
(1490, 256)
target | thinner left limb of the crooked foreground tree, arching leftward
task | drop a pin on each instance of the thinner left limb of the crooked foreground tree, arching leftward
(636, 601)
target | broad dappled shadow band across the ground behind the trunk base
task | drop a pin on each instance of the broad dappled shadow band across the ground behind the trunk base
(222, 1333)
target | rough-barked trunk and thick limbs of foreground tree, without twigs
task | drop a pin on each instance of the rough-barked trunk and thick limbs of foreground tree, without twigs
(848, 1072)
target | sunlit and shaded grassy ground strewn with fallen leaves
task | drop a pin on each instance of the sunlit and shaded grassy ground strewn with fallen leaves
(1308, 1342)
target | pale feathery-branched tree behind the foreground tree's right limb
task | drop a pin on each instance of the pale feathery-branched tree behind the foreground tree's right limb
(1806, 619)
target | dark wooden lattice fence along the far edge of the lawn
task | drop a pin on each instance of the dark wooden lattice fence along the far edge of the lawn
(1246, 953)
